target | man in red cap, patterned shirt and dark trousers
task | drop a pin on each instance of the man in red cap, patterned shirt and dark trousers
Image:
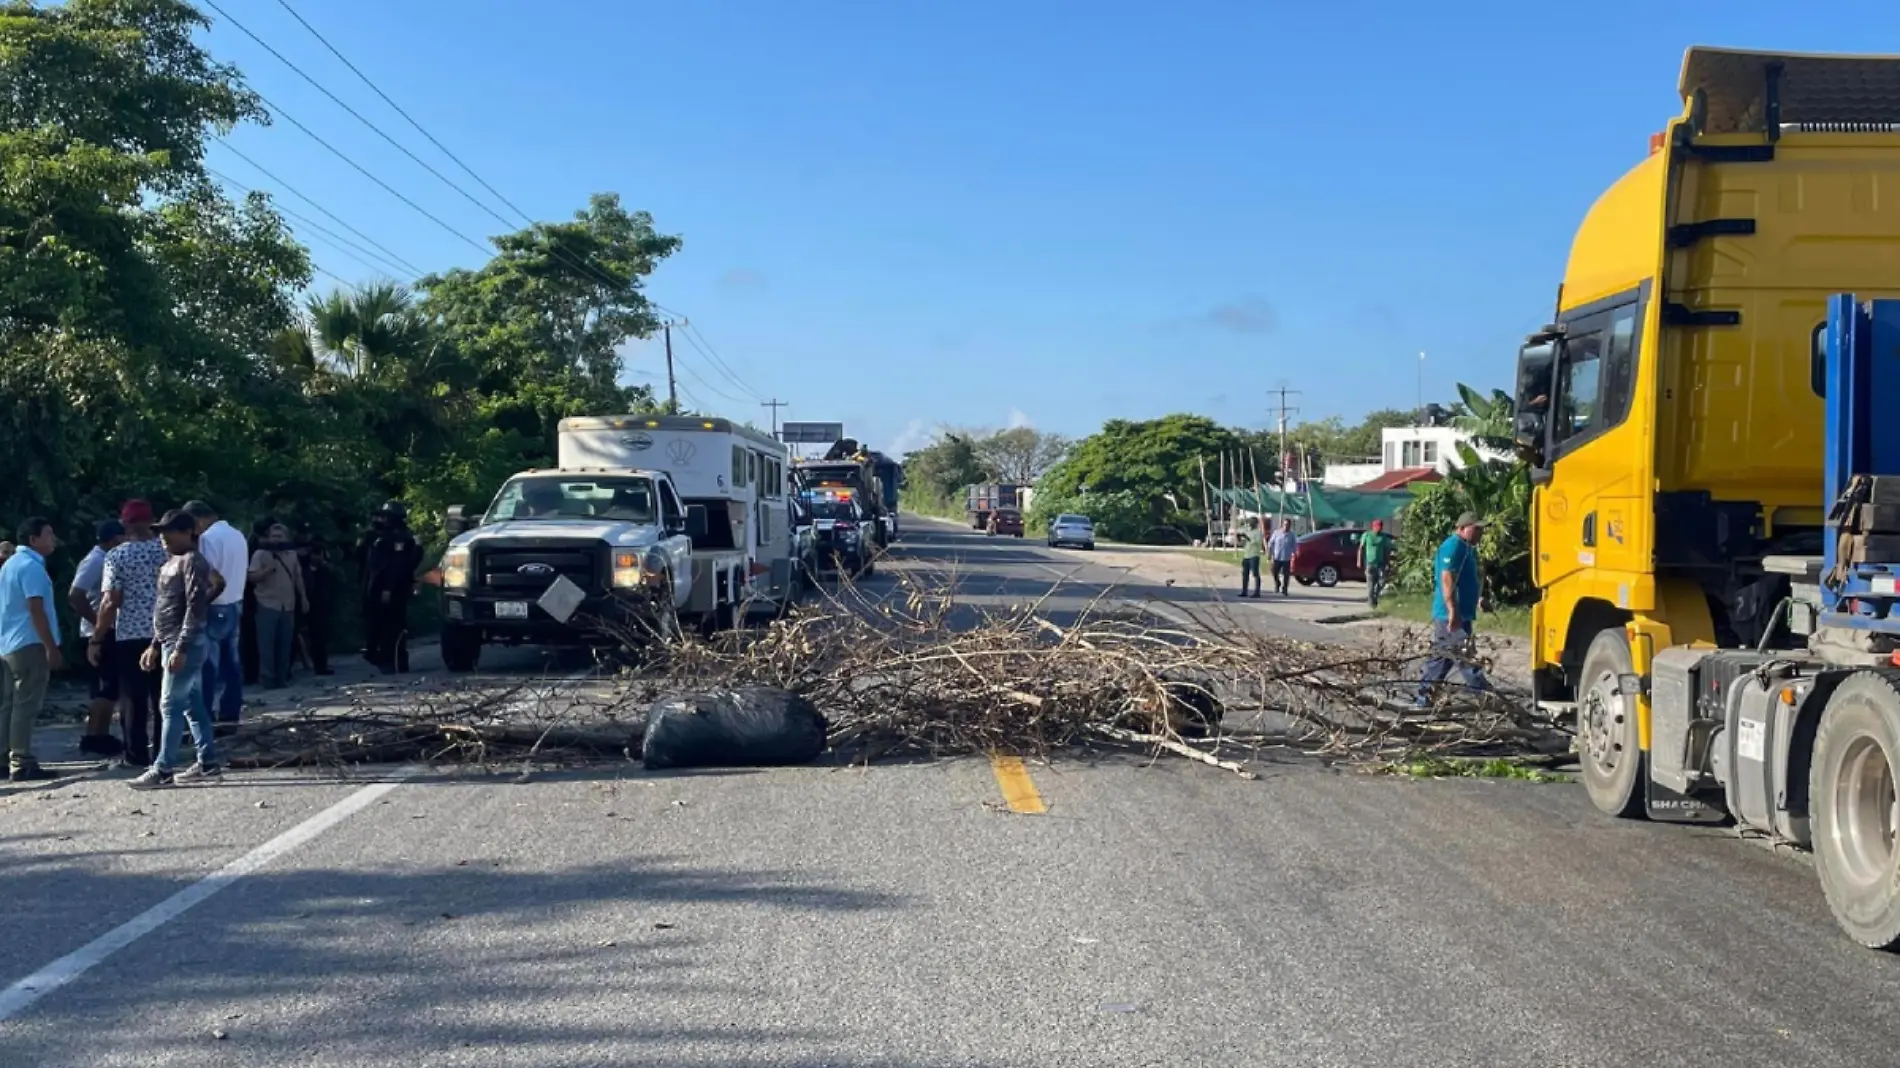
(126, 617)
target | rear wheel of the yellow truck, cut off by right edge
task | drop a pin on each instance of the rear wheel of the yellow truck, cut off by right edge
(1852, 801)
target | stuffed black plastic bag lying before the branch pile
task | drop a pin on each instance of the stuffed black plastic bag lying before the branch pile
(751, 727)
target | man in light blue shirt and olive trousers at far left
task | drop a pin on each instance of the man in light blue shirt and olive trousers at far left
(29, 645)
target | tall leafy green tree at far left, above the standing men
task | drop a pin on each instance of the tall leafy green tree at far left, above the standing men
(134, 296)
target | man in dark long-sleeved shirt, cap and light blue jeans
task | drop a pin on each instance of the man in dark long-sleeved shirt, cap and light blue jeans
(181, 643)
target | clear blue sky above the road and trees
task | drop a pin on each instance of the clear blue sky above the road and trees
(909, 214)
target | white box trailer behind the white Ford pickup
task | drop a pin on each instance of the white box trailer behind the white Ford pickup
(734, 472)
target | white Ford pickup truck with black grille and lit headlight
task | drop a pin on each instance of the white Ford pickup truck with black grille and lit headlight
(579, 558)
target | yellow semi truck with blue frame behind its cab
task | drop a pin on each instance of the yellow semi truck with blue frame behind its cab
(1717, 508)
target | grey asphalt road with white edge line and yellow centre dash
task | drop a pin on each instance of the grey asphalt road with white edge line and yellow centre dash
(1156, 913)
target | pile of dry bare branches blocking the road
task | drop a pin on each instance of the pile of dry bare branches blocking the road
(922, 672)
